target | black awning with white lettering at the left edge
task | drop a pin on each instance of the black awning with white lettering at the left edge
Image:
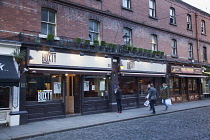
(8, 72)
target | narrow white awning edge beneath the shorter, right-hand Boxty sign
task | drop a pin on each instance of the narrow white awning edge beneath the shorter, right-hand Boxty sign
(143, 74)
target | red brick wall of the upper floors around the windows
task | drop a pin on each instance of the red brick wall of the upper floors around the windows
(72, 22)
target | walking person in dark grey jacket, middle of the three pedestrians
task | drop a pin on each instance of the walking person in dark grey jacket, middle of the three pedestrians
(152, 97)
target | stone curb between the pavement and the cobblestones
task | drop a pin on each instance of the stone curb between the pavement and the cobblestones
(69, 129)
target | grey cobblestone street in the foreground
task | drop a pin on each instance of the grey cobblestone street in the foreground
(185, 125)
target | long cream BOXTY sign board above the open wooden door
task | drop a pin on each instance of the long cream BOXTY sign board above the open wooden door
(66, 59)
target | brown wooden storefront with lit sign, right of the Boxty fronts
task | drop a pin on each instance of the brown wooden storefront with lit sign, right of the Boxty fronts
(185, 83)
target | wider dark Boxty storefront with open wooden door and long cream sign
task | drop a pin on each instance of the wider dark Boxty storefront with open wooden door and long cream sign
(59, 84)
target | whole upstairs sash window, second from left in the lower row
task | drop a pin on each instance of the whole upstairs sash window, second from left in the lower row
(93, 30)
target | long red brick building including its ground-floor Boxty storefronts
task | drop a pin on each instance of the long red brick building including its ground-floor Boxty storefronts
(83, 49)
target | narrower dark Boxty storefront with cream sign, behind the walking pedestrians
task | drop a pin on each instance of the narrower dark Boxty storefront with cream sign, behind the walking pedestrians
(134, 77)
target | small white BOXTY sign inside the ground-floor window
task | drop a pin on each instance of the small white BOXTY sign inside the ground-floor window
(44, 95)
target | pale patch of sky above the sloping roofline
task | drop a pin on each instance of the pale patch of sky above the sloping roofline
(200, 4)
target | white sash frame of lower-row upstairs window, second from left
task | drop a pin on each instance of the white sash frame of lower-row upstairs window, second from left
(93, 32)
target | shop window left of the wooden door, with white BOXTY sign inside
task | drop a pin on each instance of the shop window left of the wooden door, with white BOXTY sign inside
(43, 87)
